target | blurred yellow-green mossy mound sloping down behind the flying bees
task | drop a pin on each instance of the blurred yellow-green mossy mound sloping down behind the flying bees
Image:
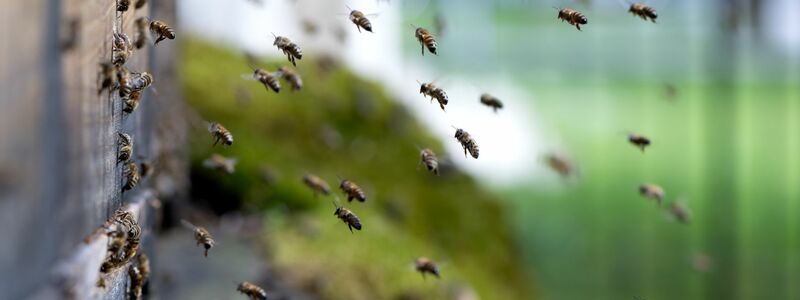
(342, 125)
